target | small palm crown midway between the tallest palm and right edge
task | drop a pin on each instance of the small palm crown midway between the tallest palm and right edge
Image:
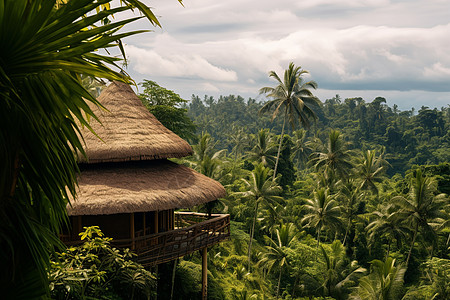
(370, 170)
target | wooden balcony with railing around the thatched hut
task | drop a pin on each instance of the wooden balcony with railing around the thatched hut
(192, 232)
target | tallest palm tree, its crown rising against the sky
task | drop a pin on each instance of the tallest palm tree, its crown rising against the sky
(293, 98)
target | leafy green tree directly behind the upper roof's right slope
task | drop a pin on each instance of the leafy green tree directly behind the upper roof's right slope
(167, 107)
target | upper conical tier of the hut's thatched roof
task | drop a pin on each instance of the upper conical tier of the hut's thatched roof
(128, 131)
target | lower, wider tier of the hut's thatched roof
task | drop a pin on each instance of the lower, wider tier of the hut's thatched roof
(141, 186)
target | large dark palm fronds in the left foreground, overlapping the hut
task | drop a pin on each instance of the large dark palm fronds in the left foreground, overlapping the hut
(44, 49)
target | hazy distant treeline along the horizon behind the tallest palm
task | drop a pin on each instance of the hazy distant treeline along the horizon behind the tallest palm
(409, 137)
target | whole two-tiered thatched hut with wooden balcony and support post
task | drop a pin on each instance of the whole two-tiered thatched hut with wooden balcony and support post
(129, 189)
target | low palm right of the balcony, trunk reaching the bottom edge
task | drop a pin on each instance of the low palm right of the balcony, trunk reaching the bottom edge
(277, 250)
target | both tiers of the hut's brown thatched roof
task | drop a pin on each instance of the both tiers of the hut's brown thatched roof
(127, 169)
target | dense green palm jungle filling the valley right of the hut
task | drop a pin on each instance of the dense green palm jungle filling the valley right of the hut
(344, 193)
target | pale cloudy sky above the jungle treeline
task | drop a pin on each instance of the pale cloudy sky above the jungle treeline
(399, 50)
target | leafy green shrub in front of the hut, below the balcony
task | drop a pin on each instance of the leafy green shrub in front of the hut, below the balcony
(97, 270)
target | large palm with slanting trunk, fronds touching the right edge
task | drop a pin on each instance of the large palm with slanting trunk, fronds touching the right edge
(422, 209)
